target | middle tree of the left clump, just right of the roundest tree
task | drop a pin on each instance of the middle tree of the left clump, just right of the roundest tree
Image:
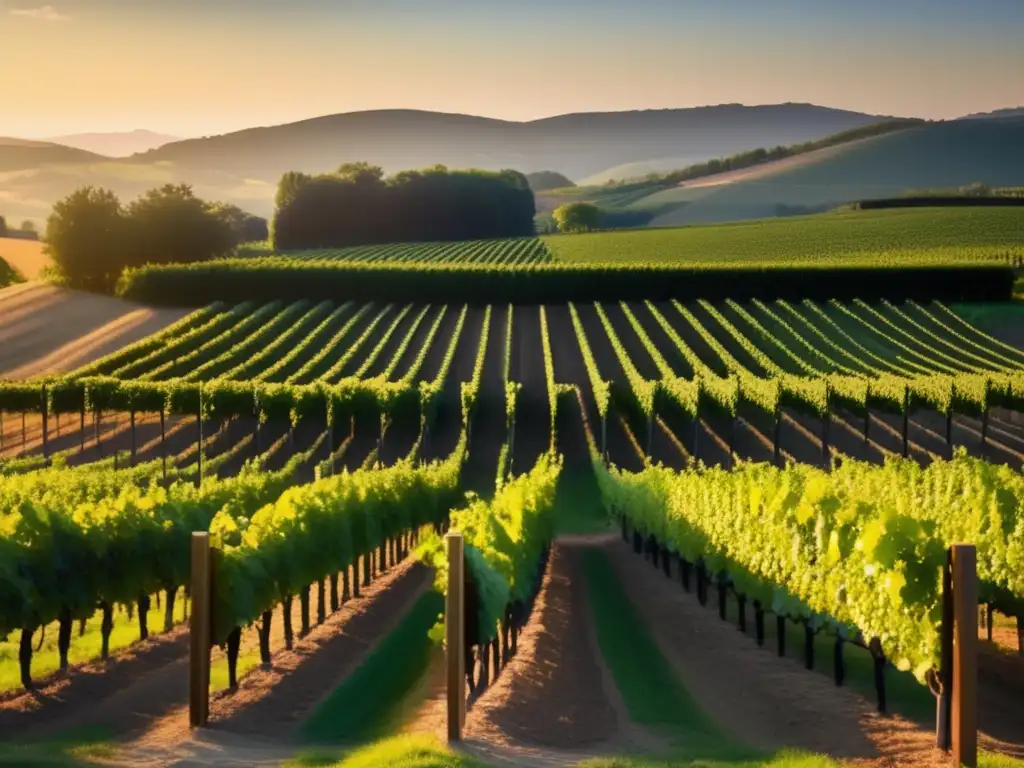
(172, 225)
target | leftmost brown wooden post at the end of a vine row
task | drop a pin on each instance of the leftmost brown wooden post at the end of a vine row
(200, 631)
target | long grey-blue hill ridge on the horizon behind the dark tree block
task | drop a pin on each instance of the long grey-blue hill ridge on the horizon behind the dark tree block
(578, 145)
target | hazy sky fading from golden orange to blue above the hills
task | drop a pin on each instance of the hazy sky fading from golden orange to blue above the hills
(202, 67)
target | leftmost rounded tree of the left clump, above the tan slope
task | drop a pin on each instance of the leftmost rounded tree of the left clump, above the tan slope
(87, 239)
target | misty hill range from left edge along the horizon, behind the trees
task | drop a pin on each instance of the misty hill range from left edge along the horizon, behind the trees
(244, 167)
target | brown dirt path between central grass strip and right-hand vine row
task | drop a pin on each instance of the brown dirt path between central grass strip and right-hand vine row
(763, 701)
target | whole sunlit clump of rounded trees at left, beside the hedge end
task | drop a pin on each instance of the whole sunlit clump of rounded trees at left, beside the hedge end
(93, 237)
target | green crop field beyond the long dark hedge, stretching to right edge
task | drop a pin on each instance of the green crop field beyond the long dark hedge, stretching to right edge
(909, 237)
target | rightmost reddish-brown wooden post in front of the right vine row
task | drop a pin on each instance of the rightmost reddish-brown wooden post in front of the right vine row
(965, 694)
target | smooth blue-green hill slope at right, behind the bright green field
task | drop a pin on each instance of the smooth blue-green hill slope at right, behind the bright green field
(938, 155)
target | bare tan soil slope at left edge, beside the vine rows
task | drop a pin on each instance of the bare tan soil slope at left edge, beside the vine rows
(50, 330)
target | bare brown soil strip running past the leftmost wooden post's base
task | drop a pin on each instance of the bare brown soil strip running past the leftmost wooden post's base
(143, 699)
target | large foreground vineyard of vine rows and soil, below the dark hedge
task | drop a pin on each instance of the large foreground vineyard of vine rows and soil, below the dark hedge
(327, 445)
